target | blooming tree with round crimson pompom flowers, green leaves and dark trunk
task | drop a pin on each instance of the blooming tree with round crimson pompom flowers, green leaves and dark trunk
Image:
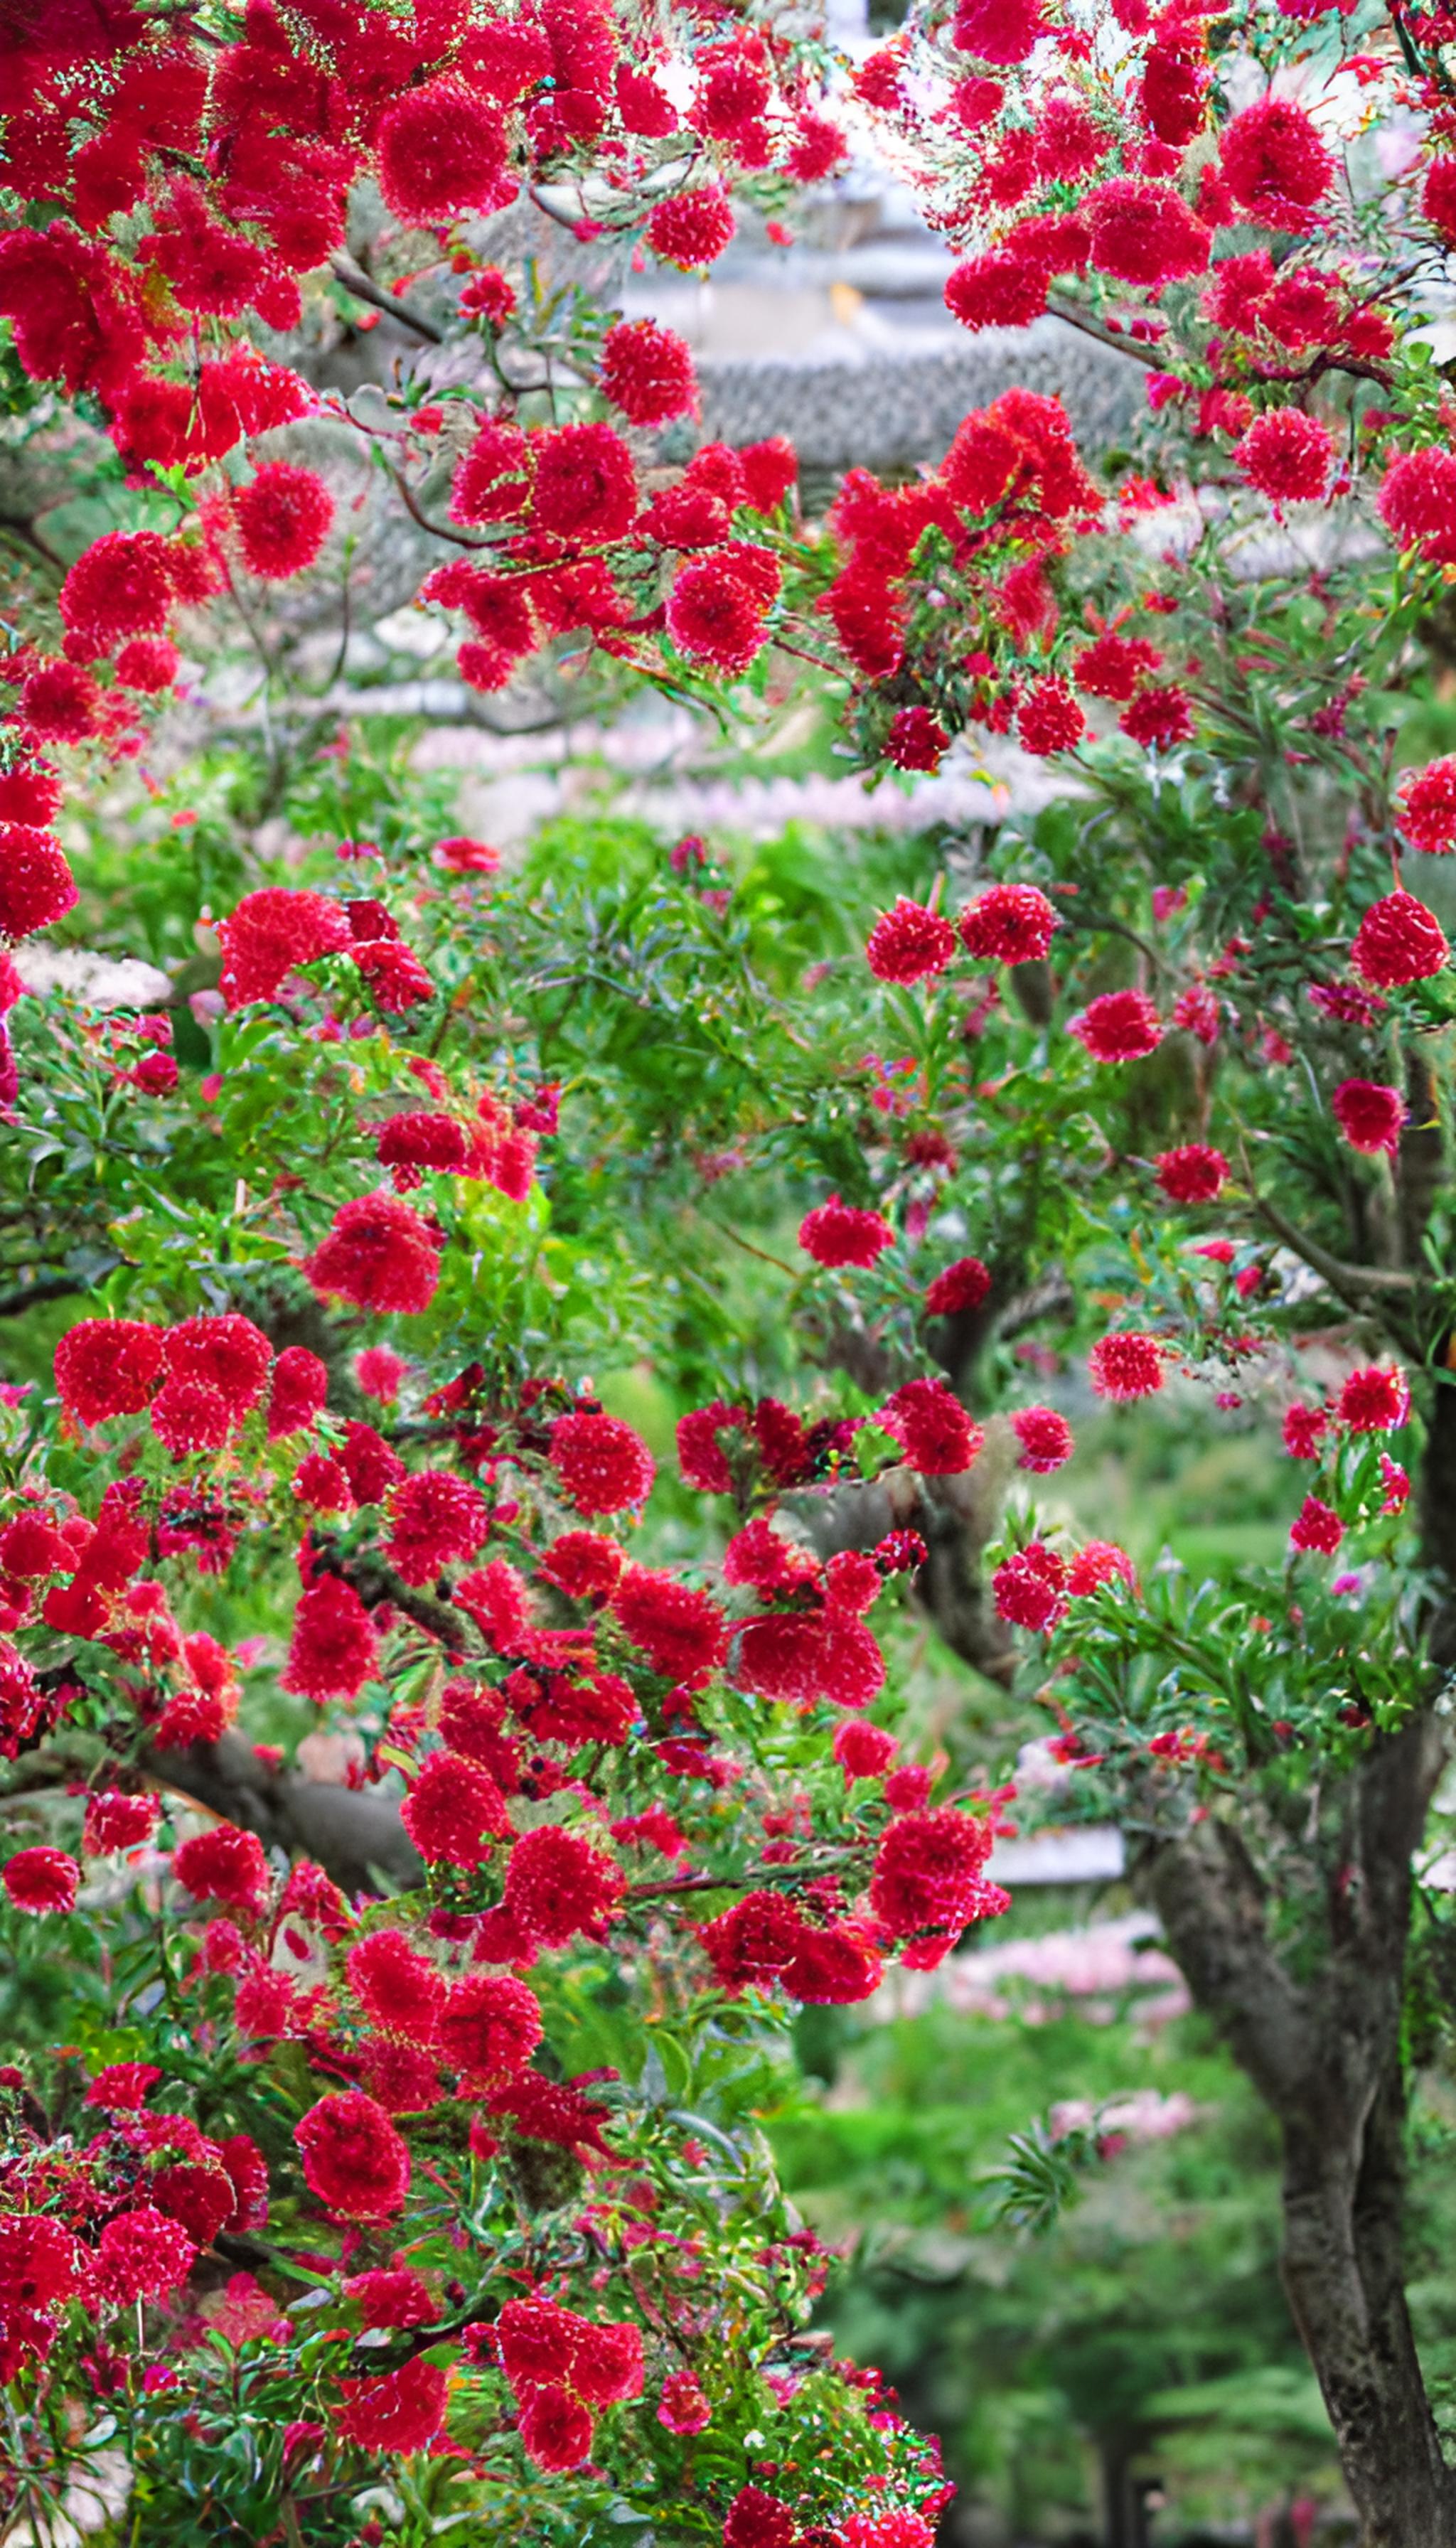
(402, 2165)
